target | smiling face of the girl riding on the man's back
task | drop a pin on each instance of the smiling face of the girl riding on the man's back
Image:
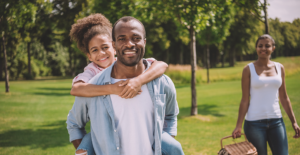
(101, 51)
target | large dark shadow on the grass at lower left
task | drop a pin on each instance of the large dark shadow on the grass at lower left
(46, 136)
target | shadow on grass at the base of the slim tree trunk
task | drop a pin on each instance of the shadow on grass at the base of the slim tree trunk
(203, 109)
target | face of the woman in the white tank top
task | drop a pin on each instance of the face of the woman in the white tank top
(264, 48)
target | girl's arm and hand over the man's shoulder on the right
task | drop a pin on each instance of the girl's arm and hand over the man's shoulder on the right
(133, 86)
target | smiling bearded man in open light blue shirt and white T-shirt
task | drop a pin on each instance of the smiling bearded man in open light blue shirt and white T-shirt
(128, 126)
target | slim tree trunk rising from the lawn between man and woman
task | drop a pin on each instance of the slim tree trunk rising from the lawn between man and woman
(194, 110)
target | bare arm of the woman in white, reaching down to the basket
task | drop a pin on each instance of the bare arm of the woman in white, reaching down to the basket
(244, 105)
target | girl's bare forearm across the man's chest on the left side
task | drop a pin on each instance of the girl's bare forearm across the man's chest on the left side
(83, 89)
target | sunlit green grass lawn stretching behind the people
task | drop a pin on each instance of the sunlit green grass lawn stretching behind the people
(33, 115)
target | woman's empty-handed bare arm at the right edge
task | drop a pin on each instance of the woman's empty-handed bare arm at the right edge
(286, 104)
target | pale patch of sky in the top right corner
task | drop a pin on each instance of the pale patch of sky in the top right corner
(285, 10)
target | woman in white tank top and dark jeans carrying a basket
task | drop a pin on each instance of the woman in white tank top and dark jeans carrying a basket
(264, 81)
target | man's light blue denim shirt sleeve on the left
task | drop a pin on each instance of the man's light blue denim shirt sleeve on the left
(77, 118)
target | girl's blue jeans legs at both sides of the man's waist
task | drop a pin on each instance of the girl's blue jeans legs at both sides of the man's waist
(170, 146)
